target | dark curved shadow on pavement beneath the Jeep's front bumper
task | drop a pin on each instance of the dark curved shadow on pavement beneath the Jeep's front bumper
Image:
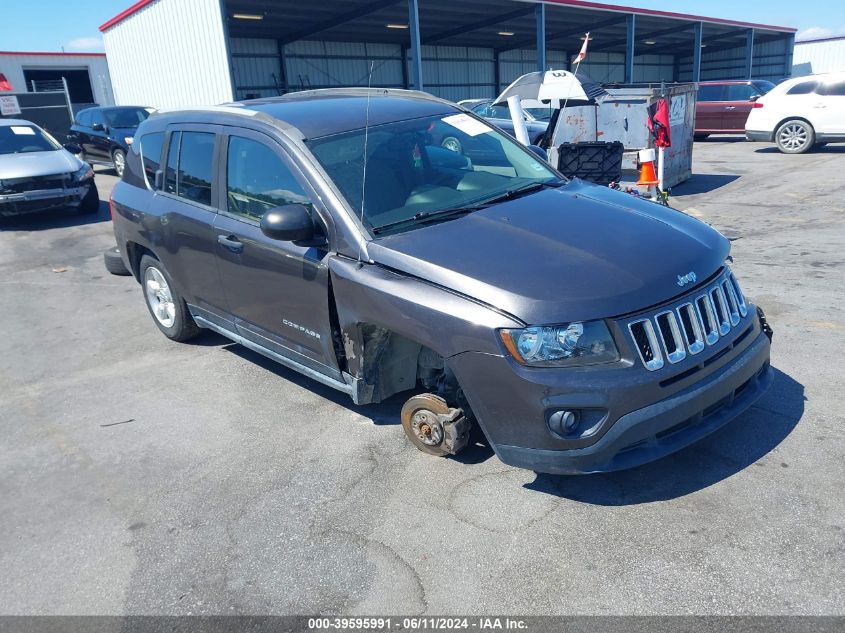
(733, 448)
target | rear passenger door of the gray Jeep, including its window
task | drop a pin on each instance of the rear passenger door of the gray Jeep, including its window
(185, 208)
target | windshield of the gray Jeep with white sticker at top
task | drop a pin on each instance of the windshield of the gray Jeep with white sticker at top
(427, 165)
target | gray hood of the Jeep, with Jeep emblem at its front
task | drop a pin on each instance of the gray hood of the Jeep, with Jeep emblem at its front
(574, 253)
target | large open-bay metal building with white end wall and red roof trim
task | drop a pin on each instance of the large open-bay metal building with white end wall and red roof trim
(171, 53)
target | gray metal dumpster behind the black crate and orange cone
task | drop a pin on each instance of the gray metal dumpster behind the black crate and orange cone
(623, 116)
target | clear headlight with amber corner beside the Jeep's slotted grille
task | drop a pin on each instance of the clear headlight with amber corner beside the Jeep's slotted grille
(564, 345)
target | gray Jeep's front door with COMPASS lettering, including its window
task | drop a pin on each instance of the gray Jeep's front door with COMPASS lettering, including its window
(277, 292)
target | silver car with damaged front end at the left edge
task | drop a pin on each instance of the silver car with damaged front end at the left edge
(38, 174)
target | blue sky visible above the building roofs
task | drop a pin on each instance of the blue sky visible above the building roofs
(50, 25)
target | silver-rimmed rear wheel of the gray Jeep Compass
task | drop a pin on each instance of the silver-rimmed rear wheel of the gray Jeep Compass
(166, 305)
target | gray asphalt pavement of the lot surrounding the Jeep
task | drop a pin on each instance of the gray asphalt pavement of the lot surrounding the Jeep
(141, 476)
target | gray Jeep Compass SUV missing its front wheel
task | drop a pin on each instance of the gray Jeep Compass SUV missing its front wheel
(582, 329)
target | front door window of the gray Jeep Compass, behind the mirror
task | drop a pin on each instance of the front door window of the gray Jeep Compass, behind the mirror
(258, 180)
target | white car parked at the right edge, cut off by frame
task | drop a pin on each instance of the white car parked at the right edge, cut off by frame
(800, 113)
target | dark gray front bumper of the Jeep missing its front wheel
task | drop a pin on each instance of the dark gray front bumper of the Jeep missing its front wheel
(645, 420)
